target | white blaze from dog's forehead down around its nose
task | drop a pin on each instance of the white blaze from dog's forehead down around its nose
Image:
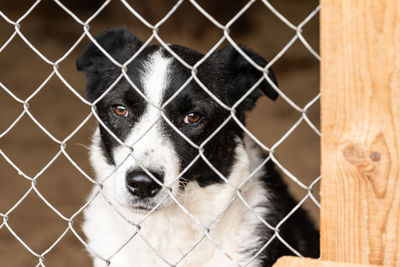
(151, 148)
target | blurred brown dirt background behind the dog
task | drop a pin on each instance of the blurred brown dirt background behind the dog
(53, 32)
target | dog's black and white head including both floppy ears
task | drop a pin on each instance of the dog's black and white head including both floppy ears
(161, 126)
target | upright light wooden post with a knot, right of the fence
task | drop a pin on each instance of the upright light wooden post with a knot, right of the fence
(360, 120)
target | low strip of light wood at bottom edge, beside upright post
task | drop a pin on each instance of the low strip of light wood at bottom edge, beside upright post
(305, 262)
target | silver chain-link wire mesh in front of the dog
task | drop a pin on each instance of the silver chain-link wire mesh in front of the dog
(62, 143)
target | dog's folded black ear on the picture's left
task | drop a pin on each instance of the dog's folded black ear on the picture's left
(120, 43)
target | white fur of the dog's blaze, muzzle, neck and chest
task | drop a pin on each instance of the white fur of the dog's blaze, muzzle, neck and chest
(169, 230)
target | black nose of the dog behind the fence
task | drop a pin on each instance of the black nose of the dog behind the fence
(142, 185)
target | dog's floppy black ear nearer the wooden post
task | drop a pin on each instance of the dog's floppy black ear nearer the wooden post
(241, 75)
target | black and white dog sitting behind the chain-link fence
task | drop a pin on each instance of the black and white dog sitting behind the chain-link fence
(236, 234)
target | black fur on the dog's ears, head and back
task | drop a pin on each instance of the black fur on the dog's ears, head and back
(228, 76)
